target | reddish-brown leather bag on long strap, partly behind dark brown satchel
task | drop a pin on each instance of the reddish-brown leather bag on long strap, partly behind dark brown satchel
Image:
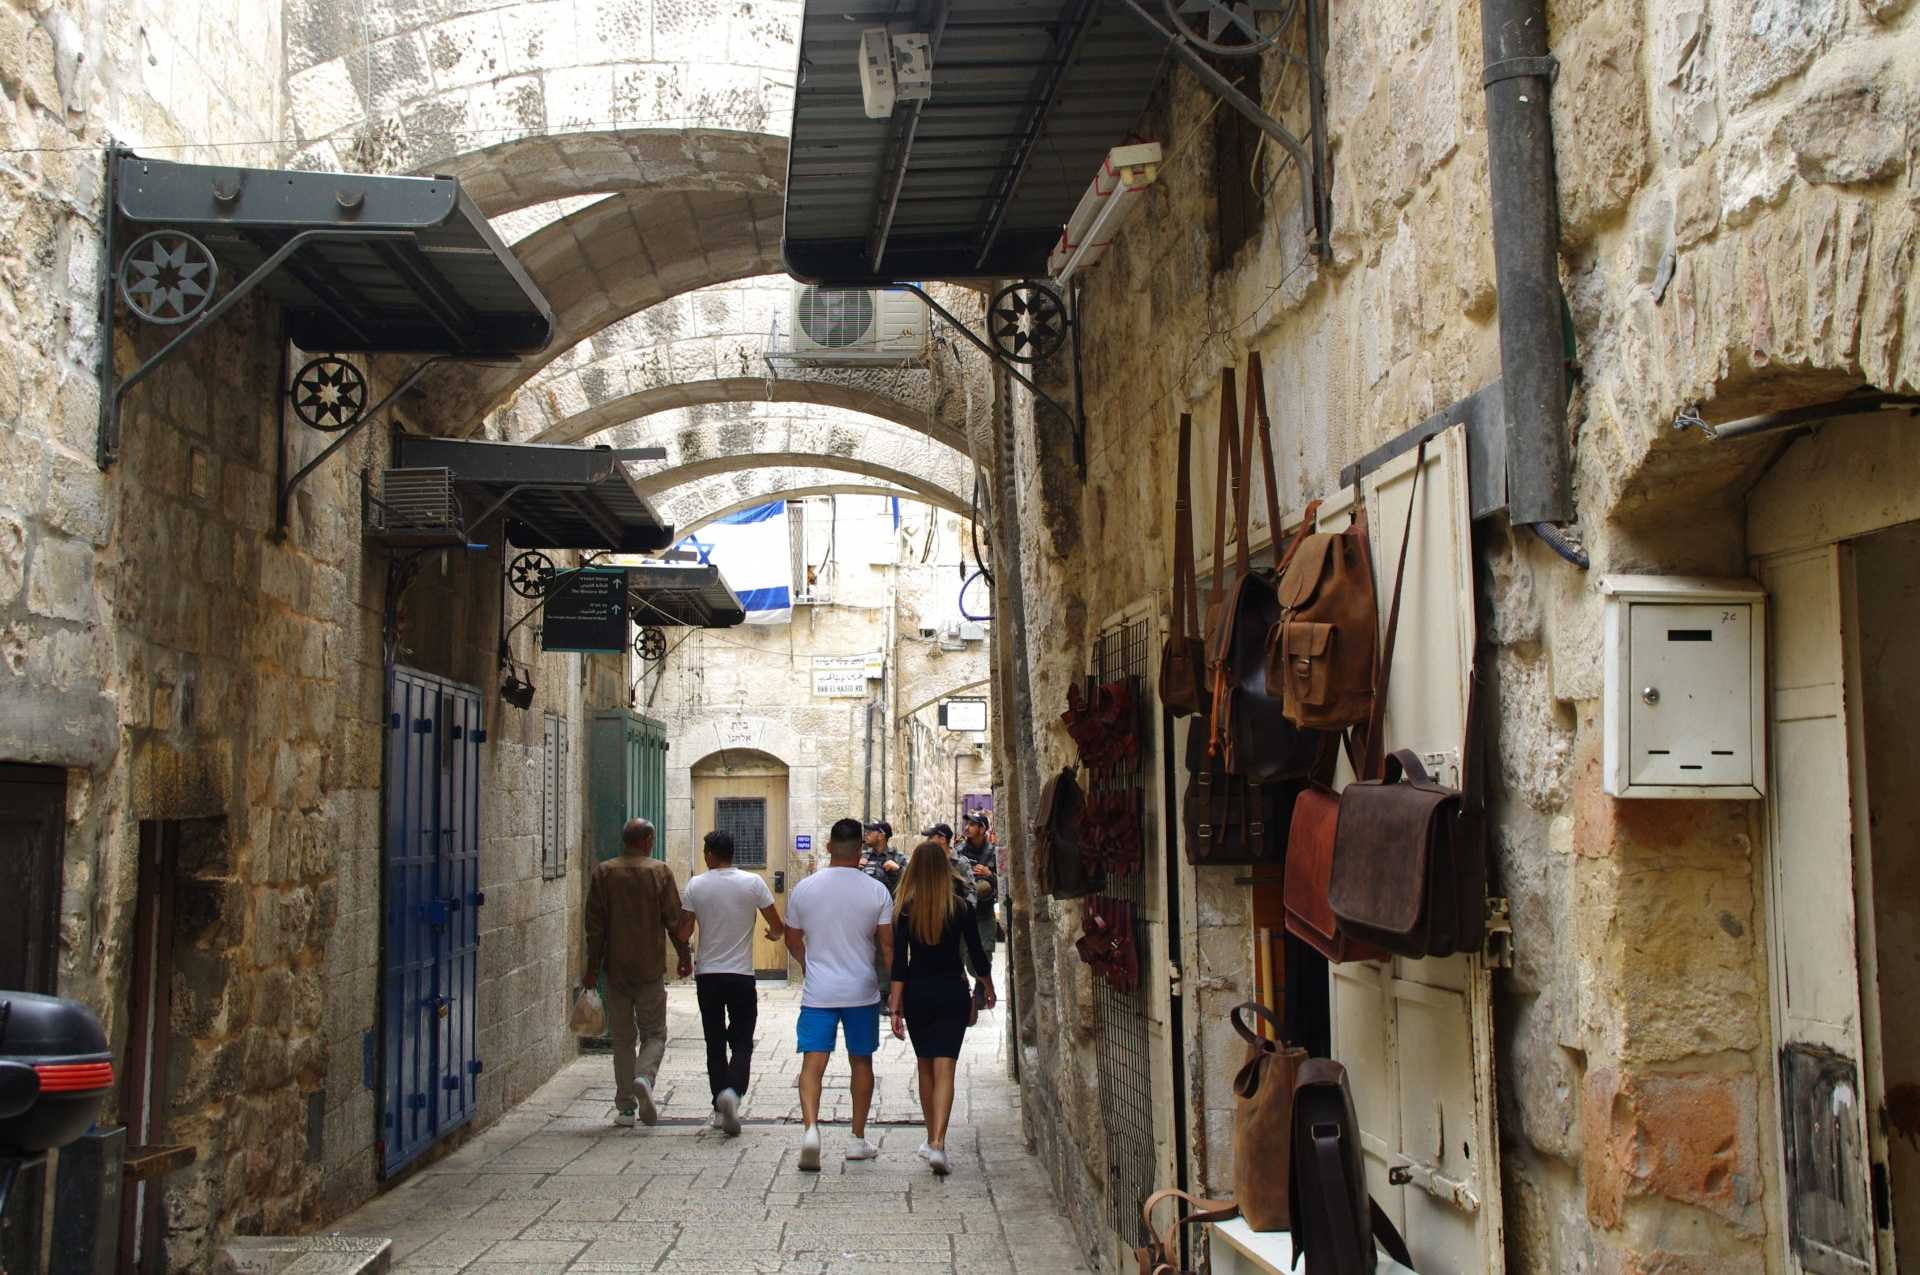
(1320, 813)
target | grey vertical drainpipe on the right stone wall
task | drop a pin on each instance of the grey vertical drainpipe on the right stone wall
(1520, 158)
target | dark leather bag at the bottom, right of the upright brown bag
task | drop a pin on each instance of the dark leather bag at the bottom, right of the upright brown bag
(1335, 1220)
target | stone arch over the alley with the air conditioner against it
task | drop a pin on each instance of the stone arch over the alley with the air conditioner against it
(709, 347)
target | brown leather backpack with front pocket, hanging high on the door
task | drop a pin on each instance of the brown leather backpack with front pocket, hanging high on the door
(1320, 656)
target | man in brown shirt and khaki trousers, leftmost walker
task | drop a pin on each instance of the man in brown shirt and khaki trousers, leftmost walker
(633, 909)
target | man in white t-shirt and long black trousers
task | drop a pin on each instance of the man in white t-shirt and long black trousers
(721, 903)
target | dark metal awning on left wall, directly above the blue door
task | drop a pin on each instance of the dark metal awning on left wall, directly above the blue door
(554, 496)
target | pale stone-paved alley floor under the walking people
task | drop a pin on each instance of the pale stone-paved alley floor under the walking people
(556, 1188)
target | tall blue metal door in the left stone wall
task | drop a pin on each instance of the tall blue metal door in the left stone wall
(431, 902)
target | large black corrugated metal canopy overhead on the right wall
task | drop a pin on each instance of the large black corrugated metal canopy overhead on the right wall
(976, 181)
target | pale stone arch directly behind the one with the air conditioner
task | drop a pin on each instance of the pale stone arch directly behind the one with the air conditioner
(759, 437)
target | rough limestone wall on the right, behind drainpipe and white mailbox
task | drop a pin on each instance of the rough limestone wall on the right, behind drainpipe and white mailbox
(1739, 229)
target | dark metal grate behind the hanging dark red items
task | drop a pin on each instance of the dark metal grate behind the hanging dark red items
(1124, 1059)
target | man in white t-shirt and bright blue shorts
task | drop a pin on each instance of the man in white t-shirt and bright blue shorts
(838, 923)
